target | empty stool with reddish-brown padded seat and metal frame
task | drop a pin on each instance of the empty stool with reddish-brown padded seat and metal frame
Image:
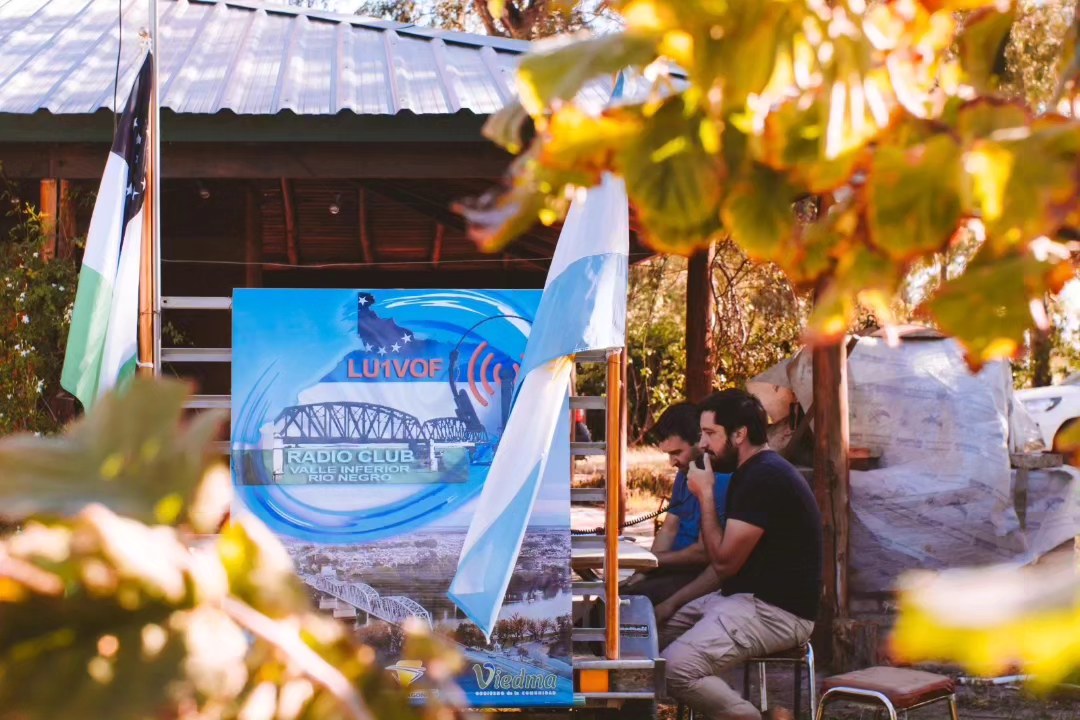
(897, 689)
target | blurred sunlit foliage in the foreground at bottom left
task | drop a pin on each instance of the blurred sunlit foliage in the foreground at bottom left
(117, 603)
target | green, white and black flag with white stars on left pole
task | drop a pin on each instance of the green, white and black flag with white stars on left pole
(102, 344)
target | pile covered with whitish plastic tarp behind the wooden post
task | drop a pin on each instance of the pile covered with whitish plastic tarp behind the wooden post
(943, 496)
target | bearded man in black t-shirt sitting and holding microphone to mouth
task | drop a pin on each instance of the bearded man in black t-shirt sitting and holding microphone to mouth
(768, 556)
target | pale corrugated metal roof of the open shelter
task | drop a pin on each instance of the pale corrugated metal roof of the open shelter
(249, 59)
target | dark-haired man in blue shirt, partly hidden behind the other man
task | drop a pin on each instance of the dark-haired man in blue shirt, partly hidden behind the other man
(679, 547)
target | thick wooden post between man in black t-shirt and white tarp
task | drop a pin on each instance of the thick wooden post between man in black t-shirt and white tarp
(831, 488)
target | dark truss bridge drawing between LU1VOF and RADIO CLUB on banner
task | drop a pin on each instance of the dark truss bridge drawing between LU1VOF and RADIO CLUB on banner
(368, 424)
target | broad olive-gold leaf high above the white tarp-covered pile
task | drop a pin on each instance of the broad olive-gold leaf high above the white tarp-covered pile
(914, 198)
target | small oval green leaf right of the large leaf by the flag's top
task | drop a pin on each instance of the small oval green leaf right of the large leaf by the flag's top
(759, 213)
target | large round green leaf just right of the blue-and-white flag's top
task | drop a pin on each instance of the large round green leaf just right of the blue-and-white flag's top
(673, 182)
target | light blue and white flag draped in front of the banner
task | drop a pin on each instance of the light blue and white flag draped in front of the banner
(584, 308)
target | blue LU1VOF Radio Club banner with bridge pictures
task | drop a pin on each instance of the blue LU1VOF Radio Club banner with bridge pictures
(364, 424)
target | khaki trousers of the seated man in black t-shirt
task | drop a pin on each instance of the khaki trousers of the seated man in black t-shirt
(715, 633)
